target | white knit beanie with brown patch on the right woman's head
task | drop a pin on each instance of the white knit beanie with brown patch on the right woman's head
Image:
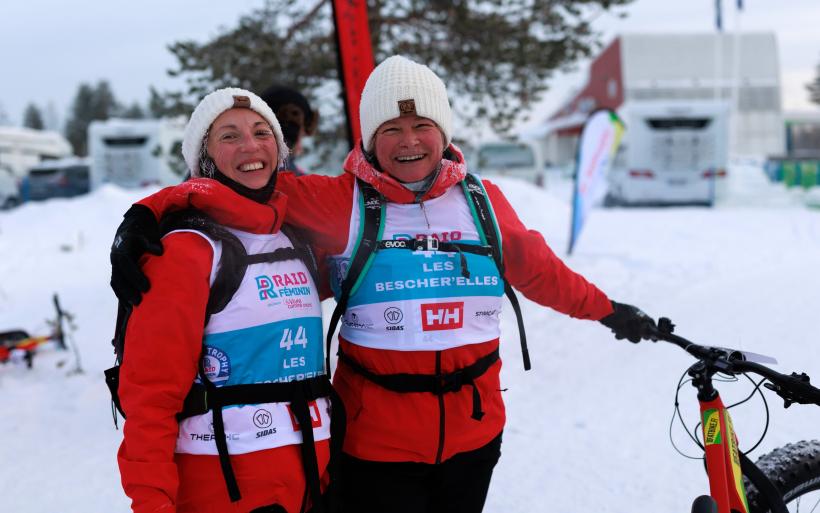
(400, 86)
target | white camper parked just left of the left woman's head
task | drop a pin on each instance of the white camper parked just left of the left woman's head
(136, 152)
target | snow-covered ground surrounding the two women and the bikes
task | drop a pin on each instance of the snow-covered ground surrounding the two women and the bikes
(588, 427)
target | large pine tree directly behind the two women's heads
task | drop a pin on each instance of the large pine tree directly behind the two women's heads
(496, 54)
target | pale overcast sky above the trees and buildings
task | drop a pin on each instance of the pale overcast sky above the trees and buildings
(47, 47)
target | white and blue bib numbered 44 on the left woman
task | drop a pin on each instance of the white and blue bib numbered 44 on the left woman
(270, 331)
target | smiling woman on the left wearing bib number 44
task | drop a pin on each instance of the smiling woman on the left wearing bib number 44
(257, 440)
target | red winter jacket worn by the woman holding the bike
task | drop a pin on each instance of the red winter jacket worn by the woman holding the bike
(388, 426)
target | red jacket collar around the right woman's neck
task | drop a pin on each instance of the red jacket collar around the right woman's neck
(451, 173)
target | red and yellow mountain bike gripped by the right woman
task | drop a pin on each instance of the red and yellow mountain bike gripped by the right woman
(781, 478)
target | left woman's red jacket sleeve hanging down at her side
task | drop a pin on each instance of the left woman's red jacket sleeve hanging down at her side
(163, 347)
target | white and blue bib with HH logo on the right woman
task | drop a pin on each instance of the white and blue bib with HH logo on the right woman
(421, 300)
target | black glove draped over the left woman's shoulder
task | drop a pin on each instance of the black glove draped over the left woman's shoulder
(136, 235)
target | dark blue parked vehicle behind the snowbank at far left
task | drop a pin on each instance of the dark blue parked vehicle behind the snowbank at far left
(62, 178)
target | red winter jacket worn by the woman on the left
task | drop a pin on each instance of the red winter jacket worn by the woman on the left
(164, 337)
